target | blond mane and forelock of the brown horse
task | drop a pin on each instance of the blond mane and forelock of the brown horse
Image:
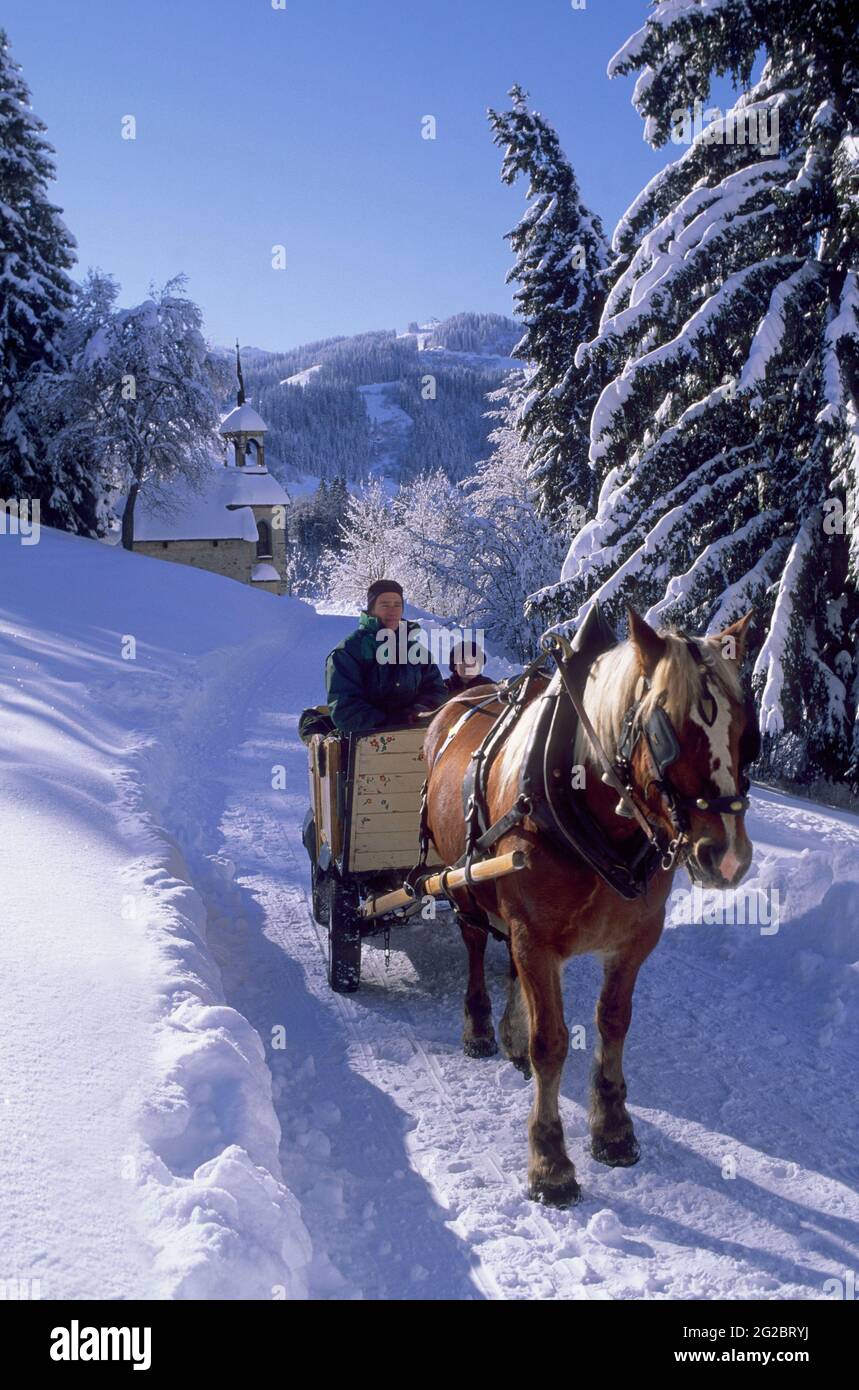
(615, 685)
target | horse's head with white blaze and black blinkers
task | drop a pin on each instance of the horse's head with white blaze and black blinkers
(689, 737)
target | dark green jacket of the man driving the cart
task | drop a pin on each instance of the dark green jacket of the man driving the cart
(366, 694)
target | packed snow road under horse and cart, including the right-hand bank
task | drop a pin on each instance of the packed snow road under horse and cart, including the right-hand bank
(409, 1159)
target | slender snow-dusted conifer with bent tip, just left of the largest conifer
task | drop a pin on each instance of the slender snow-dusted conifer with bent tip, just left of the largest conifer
(561, 256)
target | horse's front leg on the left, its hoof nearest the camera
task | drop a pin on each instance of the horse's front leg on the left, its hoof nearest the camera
(551, 1174)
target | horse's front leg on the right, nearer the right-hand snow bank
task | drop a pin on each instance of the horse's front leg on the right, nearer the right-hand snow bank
(612, 1135)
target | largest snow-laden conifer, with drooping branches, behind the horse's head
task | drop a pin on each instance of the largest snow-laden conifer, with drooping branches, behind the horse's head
(726, 437)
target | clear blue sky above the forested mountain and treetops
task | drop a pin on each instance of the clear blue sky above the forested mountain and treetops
(302, 127)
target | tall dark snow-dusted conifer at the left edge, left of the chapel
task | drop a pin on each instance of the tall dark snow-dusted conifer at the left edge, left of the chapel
(37, 252)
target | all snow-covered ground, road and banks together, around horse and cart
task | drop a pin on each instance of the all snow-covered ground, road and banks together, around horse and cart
(366, 1157)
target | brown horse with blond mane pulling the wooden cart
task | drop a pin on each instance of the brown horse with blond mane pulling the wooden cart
(559, 906)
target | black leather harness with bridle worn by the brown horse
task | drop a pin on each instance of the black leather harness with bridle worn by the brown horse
(547, 793)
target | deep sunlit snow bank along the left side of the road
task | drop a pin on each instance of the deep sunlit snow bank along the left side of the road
(111, 665)
